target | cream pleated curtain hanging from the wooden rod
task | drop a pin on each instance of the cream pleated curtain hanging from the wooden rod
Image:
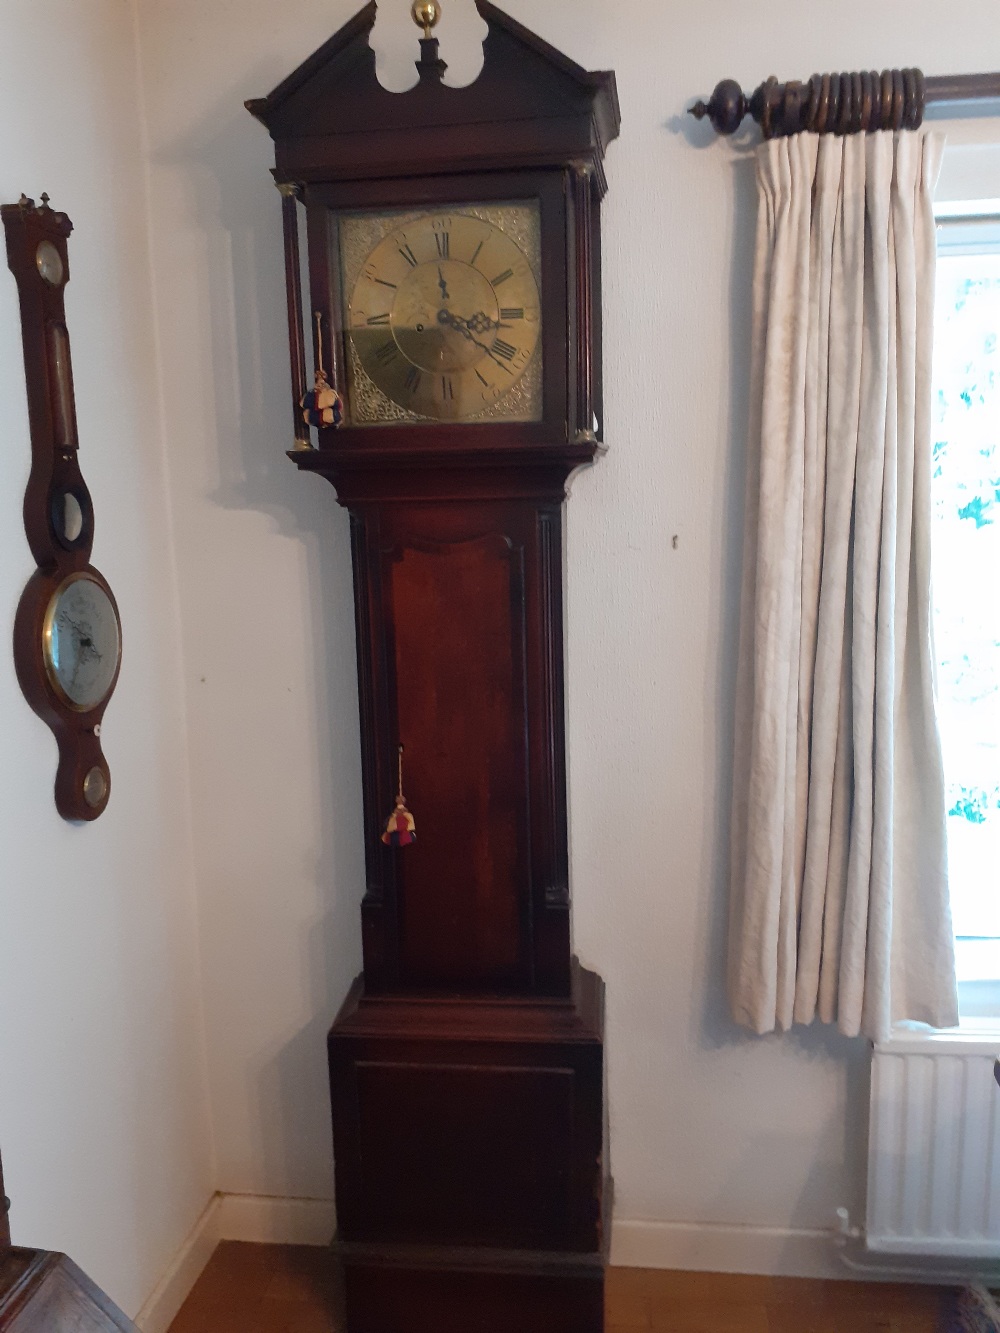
(839, 866)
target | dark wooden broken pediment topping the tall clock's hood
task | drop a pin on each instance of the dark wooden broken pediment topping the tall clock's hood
(530, 107)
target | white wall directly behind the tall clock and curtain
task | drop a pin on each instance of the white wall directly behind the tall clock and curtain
(709, 1124)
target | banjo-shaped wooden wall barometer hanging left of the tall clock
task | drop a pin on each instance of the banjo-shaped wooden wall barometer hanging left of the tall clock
(59, 523)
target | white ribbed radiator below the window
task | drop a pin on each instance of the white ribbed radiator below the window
(934, 1148)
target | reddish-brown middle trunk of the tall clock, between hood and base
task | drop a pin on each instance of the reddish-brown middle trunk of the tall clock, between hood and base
(458, 674)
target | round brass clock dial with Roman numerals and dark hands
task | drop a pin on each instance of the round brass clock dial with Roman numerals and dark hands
(446, 315)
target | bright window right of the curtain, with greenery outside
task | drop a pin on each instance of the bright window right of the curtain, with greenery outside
(966, 554)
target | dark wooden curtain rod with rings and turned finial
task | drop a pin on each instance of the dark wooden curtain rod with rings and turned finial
(842, 105)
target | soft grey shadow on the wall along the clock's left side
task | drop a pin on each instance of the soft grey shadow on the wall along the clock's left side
(237, 211)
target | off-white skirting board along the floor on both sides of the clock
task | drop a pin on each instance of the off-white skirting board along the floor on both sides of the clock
(313, 1222)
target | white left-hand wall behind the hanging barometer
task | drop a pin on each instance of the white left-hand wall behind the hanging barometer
(103, 1108)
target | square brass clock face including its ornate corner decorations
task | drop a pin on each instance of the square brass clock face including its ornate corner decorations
(443, 314)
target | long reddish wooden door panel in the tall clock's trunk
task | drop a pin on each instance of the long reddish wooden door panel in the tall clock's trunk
(458, 663)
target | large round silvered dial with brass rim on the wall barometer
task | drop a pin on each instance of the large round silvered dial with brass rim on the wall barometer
(82, 642)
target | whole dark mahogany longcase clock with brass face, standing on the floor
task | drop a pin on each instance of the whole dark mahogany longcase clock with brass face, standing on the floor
(454, 306)
